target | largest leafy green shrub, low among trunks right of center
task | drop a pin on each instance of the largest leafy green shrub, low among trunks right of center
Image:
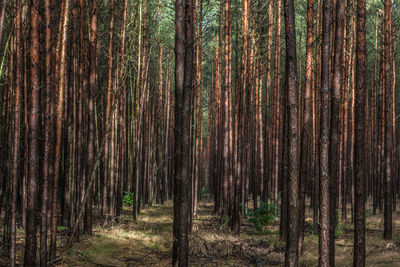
(266, 214)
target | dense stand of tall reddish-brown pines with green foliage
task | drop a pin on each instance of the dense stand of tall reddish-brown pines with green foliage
(287, 110)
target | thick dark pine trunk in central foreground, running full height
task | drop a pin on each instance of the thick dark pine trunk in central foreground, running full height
(184, 52)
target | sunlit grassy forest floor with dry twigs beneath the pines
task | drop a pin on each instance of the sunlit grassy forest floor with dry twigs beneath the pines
(148, 242)
